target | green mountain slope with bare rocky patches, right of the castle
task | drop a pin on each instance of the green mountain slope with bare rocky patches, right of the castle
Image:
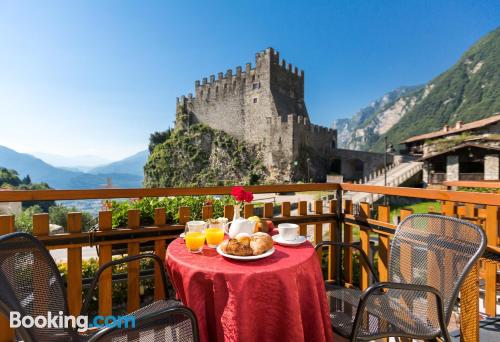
(467, 91)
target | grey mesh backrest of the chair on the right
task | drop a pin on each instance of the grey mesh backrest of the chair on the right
(435, 250)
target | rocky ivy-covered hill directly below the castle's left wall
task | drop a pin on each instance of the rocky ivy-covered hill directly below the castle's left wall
(200, 156)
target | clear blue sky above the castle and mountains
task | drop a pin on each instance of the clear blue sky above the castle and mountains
(97, 77)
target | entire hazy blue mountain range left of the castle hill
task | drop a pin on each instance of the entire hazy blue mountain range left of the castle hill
(126, 173)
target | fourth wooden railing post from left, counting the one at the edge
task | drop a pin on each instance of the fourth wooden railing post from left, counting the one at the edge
(105, 256)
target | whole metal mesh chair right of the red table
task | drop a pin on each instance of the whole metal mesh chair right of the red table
(429, 259)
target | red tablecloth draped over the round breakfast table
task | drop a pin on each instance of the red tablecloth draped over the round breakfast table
(278, 298)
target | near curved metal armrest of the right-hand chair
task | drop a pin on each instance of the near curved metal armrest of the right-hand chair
(378, 287)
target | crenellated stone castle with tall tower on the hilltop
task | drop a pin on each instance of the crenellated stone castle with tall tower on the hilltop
(264, 106)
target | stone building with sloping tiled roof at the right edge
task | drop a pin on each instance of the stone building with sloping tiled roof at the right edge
(462, 152)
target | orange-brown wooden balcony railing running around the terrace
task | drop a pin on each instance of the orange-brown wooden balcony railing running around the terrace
(339, 216)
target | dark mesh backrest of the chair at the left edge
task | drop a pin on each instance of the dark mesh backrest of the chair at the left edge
(30, 283)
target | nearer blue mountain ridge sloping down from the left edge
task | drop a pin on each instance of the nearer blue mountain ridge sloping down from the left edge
(59, 178)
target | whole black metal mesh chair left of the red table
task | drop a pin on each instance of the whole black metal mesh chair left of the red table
(31, 284)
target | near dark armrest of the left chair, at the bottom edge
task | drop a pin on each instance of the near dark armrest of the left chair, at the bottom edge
(145, 323)
